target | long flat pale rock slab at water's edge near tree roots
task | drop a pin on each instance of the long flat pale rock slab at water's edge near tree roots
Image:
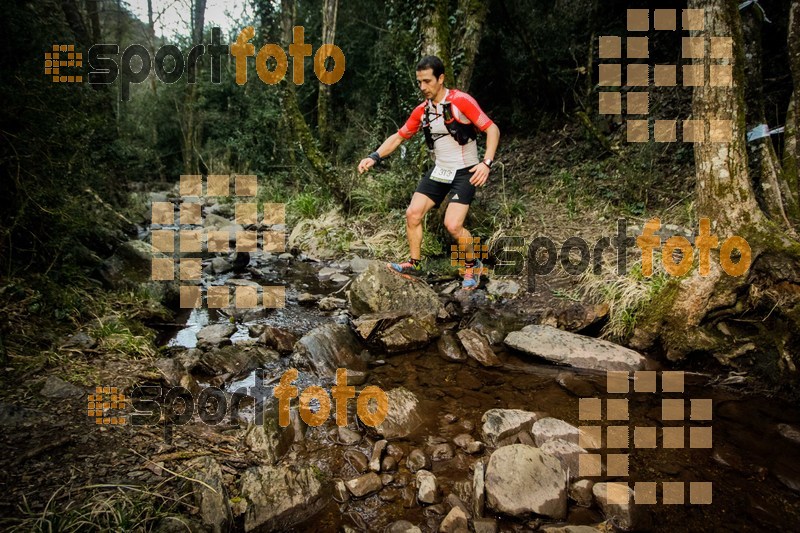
(573, 349)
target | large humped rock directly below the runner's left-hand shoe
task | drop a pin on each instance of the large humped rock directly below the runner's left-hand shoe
(377, 290)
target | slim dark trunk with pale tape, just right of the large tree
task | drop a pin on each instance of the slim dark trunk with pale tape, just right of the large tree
(764, 167)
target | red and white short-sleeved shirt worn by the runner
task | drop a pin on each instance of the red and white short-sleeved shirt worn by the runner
(449, 154)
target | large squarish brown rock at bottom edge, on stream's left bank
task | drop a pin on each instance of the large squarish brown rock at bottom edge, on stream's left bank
(280, 497)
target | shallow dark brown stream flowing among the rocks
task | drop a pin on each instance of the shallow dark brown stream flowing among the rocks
(754, 464)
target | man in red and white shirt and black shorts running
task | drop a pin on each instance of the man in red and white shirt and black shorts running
(450, 120)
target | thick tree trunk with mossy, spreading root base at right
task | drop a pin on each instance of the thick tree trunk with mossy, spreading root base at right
(753, 320)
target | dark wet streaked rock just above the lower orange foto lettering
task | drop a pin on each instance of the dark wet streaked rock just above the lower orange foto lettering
(329, 347)
